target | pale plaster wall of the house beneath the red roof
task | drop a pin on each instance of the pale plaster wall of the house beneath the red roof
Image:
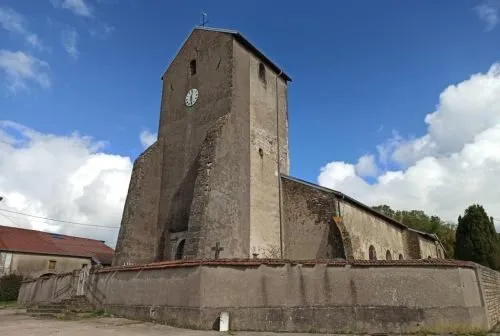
(33, 265)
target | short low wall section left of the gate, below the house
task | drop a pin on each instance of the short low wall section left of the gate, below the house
(52, 288)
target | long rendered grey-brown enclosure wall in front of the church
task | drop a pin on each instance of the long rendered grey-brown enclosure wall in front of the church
(316, 296)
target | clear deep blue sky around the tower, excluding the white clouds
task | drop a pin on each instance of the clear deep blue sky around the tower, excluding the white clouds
(360, 69)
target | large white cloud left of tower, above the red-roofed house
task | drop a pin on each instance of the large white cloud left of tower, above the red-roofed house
(84, 185)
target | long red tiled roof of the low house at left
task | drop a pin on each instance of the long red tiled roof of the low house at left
(31, 241)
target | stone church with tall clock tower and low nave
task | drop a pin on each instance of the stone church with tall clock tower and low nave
(216, 183)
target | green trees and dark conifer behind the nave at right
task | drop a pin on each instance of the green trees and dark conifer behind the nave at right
(472, 238)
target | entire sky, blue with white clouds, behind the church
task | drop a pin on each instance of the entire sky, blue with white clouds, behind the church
(366, 75)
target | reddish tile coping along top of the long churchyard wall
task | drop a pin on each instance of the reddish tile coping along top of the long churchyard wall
(283, 262)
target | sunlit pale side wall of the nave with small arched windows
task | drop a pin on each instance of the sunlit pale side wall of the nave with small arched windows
(366, 229)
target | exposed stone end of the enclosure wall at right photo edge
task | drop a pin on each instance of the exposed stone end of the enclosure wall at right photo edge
(490, 281)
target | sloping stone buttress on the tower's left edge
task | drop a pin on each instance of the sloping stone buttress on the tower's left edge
(136, 242)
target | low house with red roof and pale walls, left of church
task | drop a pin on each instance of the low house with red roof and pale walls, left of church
(35, 253)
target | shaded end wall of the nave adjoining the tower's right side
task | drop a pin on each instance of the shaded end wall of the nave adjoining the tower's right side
(308, 231)
